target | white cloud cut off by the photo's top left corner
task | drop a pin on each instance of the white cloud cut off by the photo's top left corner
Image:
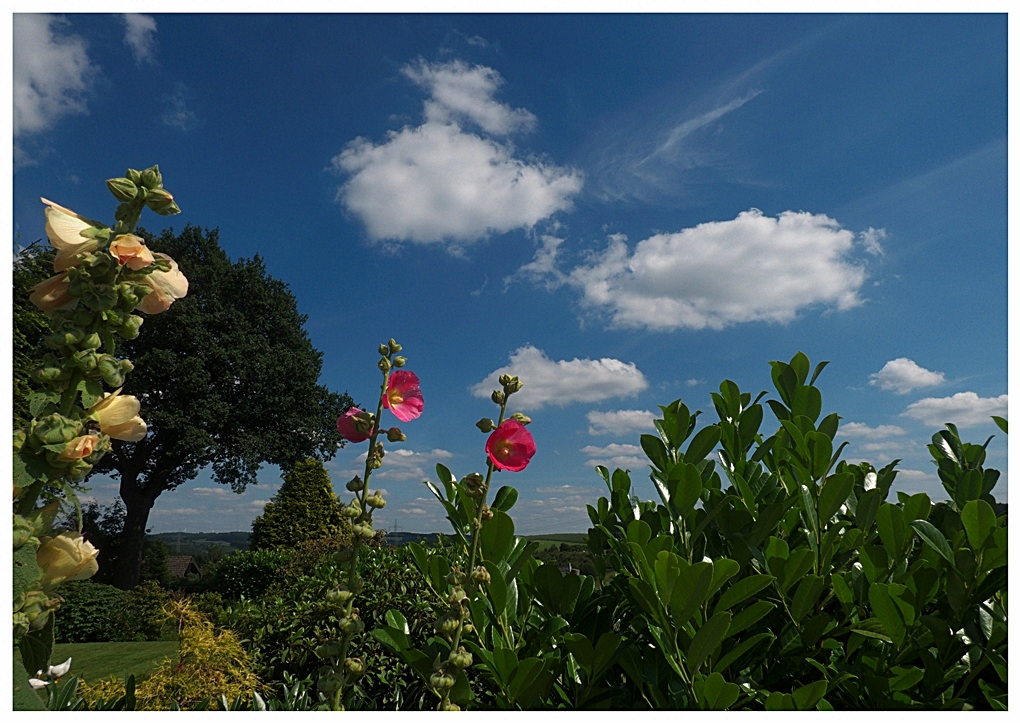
(53, 73)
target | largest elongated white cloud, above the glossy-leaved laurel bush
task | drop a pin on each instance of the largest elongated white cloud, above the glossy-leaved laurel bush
(717, 275)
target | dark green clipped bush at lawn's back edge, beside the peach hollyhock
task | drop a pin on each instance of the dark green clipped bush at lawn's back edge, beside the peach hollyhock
(91, 612)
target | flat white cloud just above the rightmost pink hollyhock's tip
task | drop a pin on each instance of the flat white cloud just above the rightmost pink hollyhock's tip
(563, 383)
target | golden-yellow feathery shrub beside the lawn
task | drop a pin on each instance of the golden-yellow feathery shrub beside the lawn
(212, 664)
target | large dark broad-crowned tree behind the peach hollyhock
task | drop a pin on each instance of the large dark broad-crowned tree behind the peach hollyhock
(228, 379)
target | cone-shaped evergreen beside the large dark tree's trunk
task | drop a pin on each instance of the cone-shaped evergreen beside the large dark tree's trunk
(304, 508)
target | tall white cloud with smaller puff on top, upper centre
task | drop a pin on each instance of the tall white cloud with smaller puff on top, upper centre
(439, 183)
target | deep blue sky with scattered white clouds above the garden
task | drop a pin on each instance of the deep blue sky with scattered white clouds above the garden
(622, 210)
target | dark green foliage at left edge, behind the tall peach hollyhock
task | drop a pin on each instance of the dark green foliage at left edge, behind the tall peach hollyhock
(32, 266)
